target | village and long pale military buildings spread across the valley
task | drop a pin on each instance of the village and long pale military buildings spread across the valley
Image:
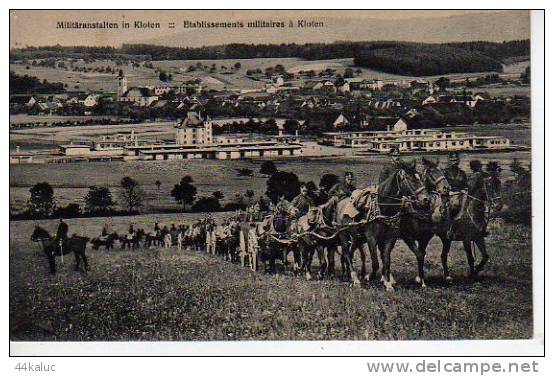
(291, 110)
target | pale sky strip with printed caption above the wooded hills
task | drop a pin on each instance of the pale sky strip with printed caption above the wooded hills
(38, 28)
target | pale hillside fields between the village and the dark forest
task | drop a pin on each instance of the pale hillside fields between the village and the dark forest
(219, 80)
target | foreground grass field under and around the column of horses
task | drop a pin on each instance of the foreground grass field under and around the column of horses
(166, 295)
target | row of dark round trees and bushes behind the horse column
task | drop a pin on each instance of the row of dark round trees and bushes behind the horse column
(99, 201)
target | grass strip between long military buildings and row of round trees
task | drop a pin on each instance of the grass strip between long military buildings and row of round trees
(71, 181)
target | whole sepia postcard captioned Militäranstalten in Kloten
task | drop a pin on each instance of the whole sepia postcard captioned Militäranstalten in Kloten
(207, 176)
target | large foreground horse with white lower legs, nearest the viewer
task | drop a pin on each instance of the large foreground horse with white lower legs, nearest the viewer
(402, 192)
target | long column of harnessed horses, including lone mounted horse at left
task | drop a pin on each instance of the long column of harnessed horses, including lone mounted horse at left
(409, 206)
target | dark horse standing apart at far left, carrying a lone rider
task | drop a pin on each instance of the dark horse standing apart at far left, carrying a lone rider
(51, 247)
